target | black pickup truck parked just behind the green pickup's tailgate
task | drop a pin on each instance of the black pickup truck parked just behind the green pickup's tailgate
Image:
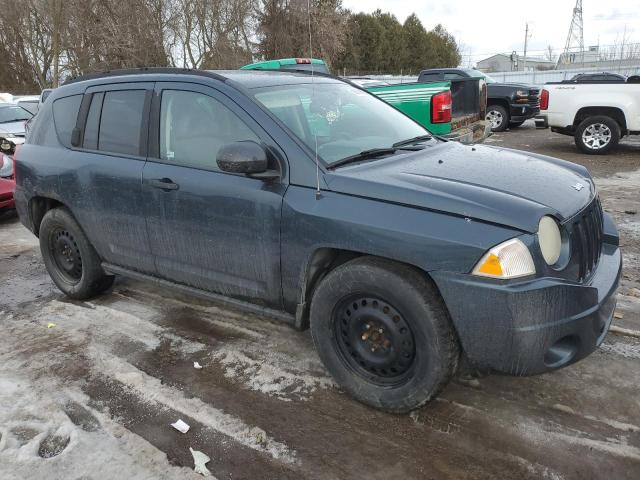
(509, 105)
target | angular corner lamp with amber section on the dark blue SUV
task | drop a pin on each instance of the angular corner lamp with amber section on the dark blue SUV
(510, 259)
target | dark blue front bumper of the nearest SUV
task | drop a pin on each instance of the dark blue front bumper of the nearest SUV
(534, 326)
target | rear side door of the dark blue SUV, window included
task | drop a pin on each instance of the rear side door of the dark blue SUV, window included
(113, 122)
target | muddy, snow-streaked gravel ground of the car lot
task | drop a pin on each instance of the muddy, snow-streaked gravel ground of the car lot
(88, 390)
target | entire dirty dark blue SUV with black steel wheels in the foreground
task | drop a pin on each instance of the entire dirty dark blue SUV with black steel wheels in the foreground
(400, 250)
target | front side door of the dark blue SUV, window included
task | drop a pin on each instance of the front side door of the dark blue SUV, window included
(209, 229)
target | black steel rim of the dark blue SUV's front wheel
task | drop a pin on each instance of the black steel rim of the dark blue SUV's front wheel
(374, 340)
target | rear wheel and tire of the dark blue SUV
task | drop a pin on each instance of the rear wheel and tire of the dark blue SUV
(72, 262)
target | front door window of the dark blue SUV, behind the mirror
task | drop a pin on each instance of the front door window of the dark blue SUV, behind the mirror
(194, 126)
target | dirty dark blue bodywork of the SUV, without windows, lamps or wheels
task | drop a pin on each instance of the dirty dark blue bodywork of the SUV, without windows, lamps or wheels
(438, 208)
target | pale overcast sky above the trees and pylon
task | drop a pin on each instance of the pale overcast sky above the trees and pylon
(487, 27)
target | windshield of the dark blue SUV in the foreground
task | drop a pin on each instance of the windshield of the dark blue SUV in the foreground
(345, 119)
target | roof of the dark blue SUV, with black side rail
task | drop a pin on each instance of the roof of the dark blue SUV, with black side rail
(245, 78)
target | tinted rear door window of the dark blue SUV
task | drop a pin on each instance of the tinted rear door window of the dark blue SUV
(121, 121)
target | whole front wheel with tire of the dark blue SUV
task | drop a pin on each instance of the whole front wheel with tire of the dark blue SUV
(412, 334)
